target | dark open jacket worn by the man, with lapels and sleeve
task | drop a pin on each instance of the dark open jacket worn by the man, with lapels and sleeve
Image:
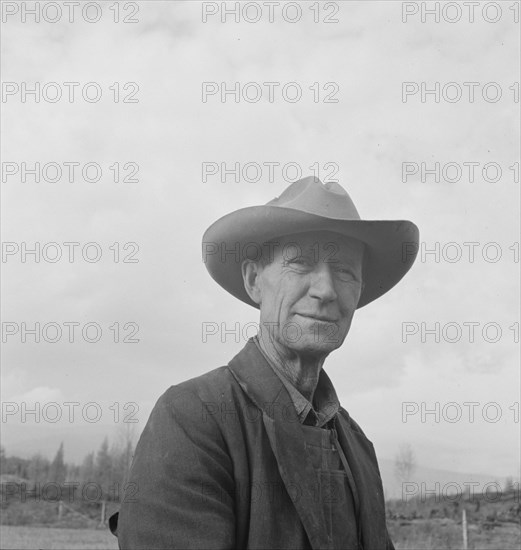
(222, 464)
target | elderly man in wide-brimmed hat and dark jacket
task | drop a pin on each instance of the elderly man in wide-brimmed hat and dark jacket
(259, 453)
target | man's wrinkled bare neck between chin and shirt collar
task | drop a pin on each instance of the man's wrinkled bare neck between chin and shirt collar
(302, 370)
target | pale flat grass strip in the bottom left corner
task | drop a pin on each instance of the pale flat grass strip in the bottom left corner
(47, 538)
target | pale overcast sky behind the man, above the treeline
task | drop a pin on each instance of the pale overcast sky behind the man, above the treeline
(169, 132)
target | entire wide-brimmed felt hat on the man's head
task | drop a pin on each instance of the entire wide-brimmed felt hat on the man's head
(308, 205)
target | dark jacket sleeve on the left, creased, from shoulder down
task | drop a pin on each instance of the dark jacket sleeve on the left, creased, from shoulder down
(181, 481)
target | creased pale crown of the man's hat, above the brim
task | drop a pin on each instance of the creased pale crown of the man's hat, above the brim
(312, 196)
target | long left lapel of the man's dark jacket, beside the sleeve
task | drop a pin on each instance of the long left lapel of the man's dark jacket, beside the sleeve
(262, 385)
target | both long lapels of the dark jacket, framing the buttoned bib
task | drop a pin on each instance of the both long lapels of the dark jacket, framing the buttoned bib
(259, 381)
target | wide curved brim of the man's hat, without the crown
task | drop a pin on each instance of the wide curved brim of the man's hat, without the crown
(391, 245)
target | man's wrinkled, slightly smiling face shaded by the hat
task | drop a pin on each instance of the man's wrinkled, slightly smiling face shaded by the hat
(309, 292)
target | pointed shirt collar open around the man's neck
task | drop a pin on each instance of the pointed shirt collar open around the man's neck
(325, 400)
